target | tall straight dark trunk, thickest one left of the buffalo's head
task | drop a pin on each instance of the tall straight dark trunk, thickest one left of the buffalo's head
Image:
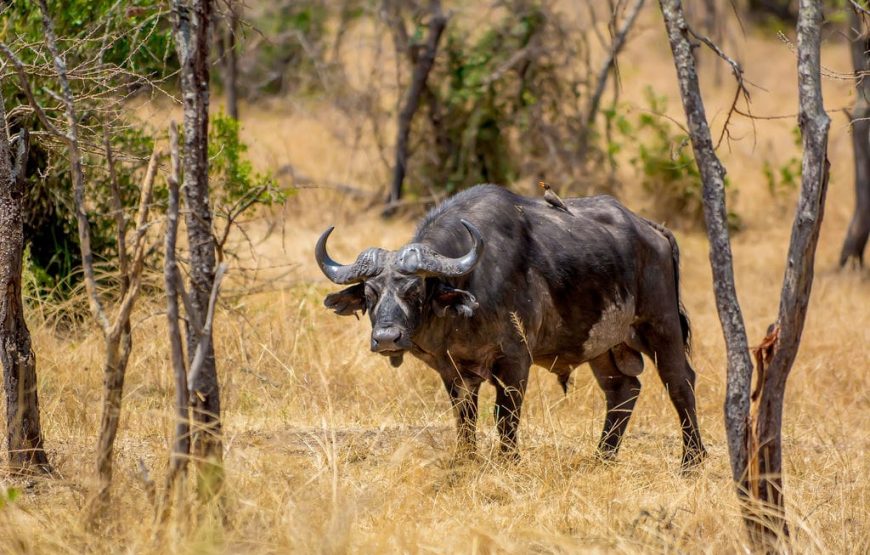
(191, 24)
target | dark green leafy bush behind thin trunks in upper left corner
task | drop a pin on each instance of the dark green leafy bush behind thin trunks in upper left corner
(112, 49)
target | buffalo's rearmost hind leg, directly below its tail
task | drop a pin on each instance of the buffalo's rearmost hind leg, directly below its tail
(678, 376)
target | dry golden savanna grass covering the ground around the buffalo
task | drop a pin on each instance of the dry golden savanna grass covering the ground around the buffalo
(329, 449)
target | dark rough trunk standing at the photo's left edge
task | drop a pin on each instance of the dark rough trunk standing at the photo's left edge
(23, 433)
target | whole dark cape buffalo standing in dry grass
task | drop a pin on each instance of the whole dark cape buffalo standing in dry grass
(493, 282)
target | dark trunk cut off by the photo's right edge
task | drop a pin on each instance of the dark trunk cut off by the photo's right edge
(859, 227)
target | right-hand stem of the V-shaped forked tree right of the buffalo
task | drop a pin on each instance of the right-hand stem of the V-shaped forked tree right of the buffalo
(780, 350)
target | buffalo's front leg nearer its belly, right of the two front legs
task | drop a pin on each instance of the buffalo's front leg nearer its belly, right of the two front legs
(510, 386)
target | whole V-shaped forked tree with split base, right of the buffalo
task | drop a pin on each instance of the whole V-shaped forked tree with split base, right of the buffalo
(755, 442)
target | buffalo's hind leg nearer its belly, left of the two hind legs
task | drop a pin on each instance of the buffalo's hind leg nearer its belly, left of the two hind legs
(620, 392)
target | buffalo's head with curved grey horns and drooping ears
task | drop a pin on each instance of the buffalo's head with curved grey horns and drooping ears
(399, 289)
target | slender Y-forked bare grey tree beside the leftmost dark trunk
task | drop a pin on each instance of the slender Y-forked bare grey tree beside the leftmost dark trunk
(115, 331)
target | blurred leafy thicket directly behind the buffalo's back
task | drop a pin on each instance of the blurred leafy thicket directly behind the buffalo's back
(502, 102)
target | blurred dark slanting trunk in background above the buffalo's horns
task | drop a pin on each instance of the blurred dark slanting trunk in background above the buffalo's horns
(437, 23)
